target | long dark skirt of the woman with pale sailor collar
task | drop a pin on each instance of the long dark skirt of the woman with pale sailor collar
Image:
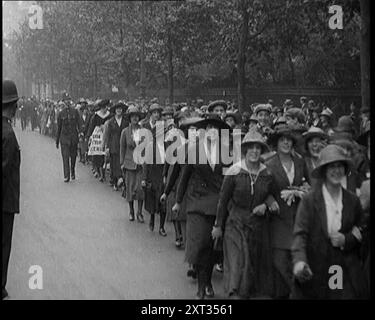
(247, 258)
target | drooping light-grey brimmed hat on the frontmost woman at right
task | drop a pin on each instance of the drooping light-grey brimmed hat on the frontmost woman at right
(329, 154)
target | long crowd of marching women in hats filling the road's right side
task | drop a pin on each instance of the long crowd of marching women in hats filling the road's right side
(275, 222)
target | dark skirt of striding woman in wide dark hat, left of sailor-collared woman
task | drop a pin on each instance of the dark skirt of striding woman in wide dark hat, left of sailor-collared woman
(199, 243)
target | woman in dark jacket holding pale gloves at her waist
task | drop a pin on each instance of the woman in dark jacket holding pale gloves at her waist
(291, 178)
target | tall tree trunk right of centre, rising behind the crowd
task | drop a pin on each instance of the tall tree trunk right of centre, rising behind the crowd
(241, 58)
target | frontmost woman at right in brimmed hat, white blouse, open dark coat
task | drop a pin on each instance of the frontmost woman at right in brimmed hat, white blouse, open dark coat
(327, 232)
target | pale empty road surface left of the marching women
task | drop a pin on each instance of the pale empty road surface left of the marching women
(79, 233)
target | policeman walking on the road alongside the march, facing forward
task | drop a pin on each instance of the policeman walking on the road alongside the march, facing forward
(68, 127)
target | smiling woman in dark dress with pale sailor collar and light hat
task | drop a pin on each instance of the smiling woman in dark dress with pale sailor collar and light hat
(247, 194)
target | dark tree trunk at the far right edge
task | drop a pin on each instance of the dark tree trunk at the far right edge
(365, 52)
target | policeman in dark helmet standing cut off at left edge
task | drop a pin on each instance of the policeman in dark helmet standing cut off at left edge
(11, 174)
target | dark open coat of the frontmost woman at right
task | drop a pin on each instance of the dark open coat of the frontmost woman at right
(312, 245)
